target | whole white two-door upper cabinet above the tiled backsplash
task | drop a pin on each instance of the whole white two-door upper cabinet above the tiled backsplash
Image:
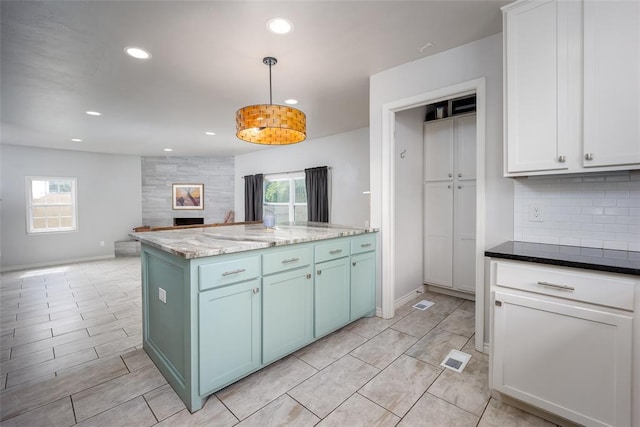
(571, 86)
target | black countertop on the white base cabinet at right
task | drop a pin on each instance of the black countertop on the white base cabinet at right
(612, 261)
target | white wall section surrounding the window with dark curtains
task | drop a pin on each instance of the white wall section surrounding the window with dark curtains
(347, 154)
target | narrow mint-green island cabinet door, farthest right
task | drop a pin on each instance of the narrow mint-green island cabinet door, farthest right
(363, 284)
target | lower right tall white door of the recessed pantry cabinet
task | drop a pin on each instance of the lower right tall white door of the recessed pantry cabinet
(464, 237)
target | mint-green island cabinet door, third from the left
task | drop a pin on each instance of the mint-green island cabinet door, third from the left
(331, 295)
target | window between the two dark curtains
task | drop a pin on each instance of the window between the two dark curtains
(285, 197)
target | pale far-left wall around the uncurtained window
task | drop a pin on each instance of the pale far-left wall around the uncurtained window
(109, 192)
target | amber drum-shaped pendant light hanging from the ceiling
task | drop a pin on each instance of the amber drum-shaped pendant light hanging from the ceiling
(271, 124)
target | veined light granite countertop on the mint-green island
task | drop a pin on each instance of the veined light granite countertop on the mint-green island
(201, 242)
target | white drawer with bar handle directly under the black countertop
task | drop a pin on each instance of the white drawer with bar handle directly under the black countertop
(568, 283)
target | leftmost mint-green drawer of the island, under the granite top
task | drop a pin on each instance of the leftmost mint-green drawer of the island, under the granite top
(228, 272)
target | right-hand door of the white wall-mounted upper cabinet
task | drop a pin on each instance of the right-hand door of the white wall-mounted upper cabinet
(611, 83)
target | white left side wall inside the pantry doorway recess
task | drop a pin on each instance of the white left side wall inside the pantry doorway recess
(408, 190)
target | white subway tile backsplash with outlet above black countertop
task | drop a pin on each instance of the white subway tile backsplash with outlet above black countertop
(599, 210)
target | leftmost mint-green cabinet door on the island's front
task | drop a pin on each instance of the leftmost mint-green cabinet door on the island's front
(229, 323)
